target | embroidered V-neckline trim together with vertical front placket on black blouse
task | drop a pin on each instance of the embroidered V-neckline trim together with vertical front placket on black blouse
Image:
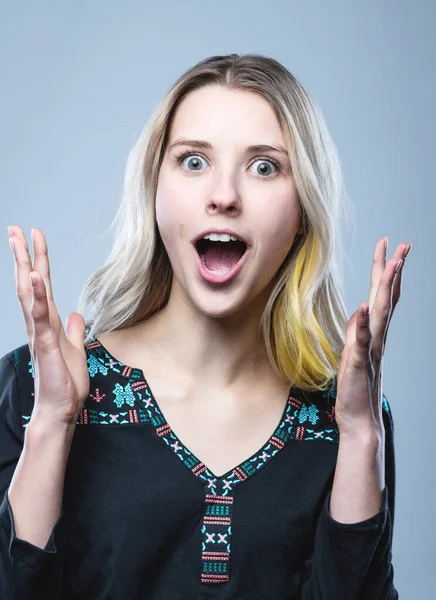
(216, 523)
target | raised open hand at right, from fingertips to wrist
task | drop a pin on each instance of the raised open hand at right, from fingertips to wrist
(359, 381)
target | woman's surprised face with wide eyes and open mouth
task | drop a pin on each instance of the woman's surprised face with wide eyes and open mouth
(224, 185)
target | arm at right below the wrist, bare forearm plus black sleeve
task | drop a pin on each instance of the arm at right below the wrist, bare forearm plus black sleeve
(352, 555)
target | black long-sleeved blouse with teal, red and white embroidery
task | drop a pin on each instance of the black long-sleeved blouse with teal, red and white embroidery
(145, 519)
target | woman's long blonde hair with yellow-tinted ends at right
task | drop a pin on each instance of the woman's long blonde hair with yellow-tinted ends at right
(303, 323)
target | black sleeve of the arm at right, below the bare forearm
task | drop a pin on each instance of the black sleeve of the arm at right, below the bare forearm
(353, 561)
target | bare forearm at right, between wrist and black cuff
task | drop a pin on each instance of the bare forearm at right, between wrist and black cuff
(359, 478)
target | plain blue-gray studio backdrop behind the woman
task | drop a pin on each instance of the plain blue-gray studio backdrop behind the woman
(80, 79)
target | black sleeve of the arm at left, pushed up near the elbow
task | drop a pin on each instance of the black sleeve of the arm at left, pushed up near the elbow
(26, 571)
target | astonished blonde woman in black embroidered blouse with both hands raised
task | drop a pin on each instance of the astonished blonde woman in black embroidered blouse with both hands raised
(218, 428)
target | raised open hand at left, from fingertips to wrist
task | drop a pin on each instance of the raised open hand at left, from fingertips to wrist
(58, 356)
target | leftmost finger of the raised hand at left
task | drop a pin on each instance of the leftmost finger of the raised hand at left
(23, 268)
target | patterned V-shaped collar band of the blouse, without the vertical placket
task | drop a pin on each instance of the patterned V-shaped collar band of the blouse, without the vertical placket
(145, 400)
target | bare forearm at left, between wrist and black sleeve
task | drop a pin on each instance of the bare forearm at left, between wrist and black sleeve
(36, 489)
